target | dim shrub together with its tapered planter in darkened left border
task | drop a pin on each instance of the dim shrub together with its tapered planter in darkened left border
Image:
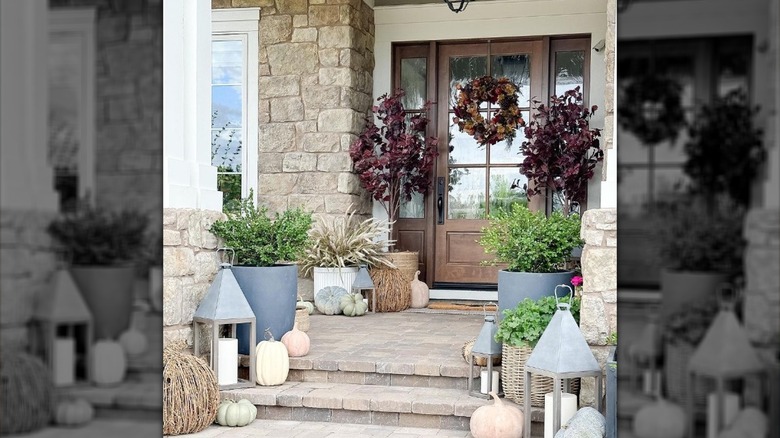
(103, 247)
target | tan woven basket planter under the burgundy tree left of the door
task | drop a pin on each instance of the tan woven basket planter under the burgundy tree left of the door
(394, 286)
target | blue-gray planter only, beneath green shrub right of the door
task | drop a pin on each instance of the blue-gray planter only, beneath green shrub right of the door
(514, 287)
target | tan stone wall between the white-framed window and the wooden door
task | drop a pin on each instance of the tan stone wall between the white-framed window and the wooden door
(316, 62)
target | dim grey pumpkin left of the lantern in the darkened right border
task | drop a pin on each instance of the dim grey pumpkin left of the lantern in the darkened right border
(660, 419)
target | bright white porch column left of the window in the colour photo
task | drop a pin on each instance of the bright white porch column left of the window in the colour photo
(189, 180)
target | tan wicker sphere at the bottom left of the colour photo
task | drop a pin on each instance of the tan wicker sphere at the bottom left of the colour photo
(190, 392)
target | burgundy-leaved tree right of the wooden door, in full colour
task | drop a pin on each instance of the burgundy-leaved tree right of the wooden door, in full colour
(562, 151)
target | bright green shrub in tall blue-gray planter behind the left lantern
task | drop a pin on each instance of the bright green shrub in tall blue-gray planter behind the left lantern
(266, 248)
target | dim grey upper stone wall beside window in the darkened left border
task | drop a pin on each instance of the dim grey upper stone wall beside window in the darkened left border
(128, 104)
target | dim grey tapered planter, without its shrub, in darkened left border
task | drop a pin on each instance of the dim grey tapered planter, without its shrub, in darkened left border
(108, 292)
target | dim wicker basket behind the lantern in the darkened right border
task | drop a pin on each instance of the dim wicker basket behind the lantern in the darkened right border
(677, 355)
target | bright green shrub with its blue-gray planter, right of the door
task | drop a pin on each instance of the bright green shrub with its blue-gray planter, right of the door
(534, 248)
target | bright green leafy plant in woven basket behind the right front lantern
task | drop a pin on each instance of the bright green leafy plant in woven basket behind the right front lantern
(518, 332)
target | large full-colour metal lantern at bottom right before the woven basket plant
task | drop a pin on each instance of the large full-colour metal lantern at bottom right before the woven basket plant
(562, 354)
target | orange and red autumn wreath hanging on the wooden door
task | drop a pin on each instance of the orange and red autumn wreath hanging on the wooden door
(506, 118)
